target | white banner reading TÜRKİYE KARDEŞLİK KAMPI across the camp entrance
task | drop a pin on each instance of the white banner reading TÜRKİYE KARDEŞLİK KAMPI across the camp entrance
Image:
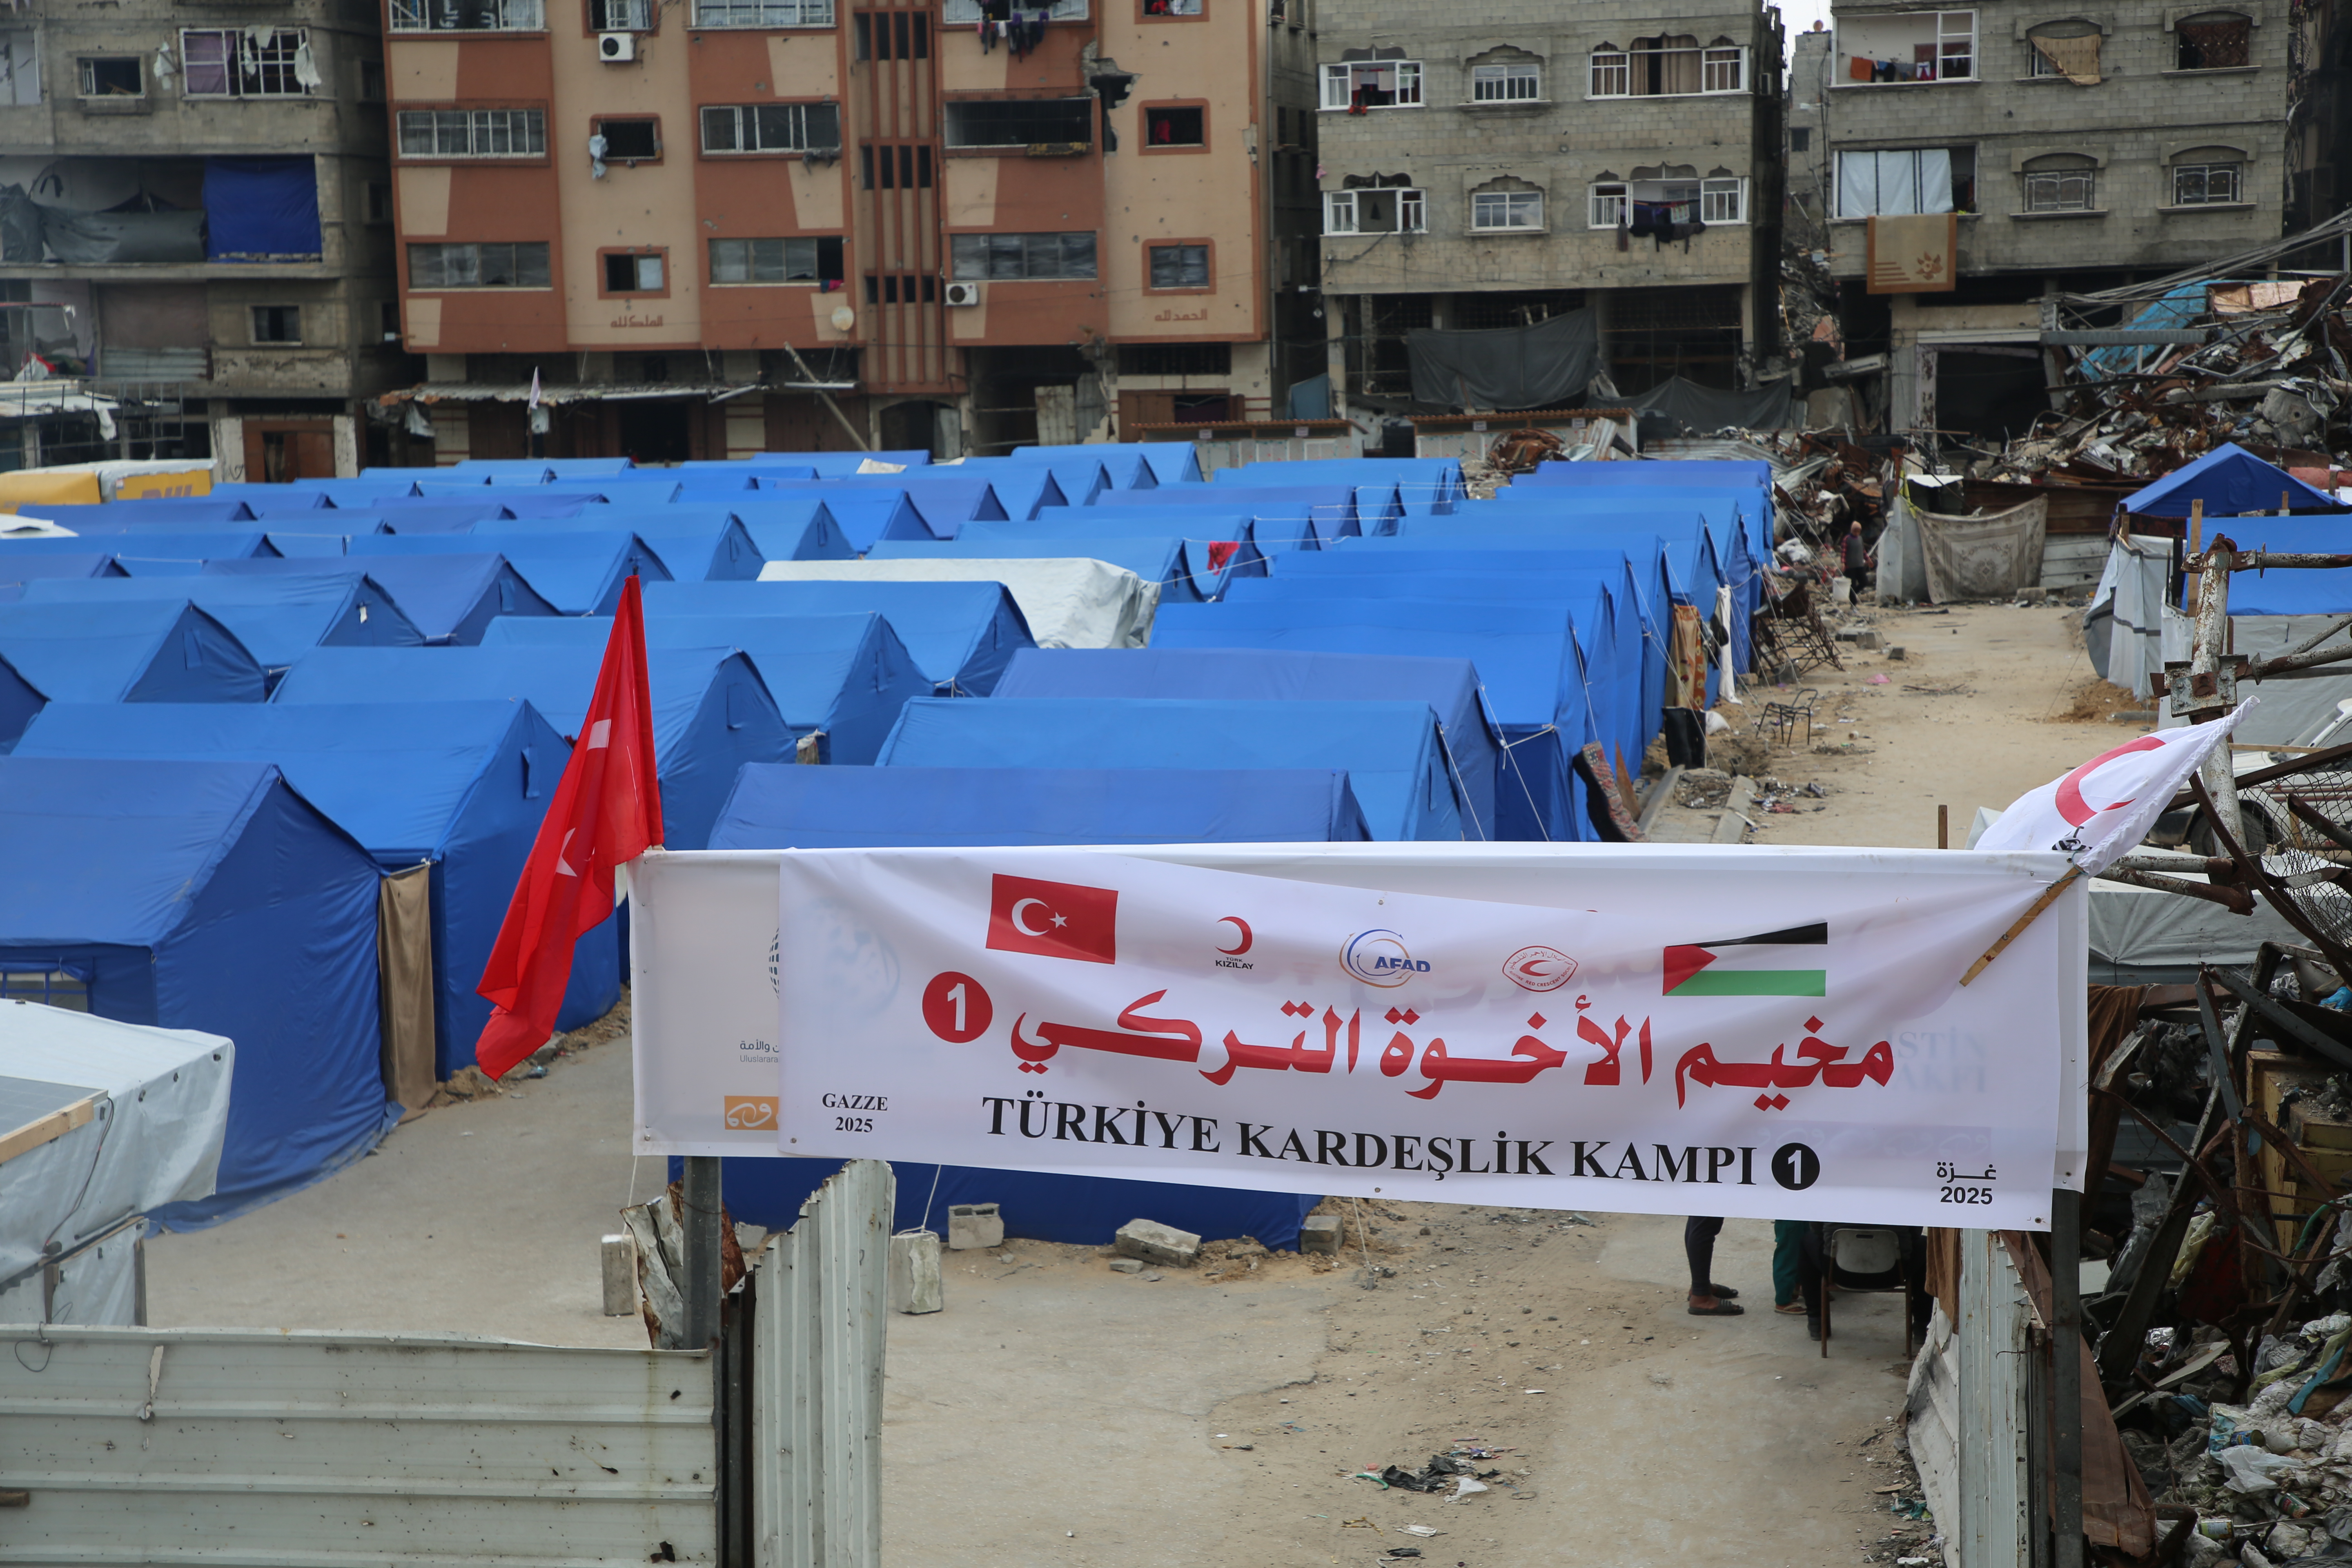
(1772, 1033)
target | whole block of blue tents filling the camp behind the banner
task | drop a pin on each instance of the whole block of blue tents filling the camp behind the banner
(1344, 650)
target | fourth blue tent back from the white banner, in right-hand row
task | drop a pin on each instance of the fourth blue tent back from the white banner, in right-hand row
(1525, 655)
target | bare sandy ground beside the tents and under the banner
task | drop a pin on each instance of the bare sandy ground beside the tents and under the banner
(1062, 1414)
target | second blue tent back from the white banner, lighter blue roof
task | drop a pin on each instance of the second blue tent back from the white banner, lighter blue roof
(1391, 751)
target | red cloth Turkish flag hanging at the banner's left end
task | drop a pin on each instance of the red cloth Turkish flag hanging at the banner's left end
(606, 812)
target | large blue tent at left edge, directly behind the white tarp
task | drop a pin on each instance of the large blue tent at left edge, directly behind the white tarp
(211, 897)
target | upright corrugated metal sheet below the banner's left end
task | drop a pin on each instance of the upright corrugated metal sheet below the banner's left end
(817, 1379)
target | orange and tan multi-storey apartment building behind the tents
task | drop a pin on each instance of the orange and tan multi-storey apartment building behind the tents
(963, 225)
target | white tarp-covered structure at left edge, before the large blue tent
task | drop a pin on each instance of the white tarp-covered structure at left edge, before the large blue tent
(102, 1123)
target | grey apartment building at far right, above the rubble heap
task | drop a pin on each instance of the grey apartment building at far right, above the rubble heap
(1972, 166)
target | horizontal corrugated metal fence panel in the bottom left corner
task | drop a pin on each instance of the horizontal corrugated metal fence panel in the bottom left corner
(323, 1449)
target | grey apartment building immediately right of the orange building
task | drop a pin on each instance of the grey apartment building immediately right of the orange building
(1603, 177)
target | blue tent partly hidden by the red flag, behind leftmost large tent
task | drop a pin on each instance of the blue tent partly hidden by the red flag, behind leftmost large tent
(460, 786)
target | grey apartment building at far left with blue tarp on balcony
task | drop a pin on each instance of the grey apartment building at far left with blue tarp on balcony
(196, 236)
